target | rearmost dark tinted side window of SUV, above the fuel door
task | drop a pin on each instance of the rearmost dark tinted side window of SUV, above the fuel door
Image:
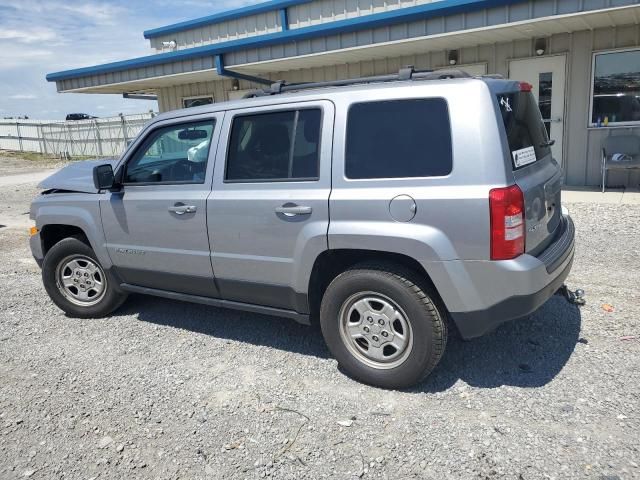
(398, 139)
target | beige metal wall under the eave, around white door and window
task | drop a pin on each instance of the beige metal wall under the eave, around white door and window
(582, 145)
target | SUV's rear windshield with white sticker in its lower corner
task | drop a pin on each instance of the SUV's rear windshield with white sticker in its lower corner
(526, 133)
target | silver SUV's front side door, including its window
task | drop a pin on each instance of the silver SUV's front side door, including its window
(156, 225)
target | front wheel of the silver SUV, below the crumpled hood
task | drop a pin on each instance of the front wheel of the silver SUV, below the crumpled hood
(77, 283)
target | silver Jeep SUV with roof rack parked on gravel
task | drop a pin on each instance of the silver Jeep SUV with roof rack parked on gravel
(379, 207)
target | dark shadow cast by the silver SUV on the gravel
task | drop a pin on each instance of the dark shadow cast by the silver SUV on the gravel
(526, 353)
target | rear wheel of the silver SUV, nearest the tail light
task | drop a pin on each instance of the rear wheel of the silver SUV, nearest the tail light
(383, 326)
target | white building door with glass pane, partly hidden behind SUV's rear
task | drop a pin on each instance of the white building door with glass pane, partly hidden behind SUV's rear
(547, 76)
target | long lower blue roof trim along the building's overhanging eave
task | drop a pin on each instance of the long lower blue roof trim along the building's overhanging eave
(440, 8)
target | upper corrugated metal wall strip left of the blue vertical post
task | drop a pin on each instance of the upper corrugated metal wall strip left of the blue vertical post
(250, 26)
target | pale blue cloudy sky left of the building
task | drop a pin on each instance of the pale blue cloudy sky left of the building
(43, 36)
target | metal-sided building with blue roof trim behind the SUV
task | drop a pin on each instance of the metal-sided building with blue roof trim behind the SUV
(581, 56)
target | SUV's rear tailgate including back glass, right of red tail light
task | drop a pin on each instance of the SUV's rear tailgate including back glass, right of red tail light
(534, 169)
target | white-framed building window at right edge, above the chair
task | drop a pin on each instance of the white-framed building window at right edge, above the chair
(616, 88)
